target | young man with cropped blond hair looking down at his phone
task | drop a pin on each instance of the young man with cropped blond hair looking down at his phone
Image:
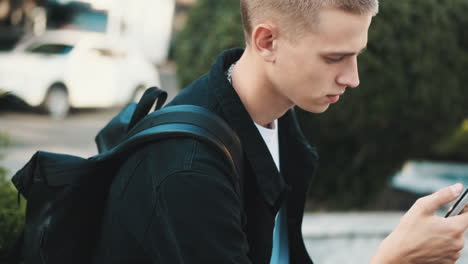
(178, 201)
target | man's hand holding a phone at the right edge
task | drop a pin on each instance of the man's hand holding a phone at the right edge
(423, 237)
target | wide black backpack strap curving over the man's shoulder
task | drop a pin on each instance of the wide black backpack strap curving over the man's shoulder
(183, 121)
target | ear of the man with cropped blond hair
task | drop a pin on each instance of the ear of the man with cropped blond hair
(264, 41)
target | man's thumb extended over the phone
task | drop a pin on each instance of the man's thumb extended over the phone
(443, 196)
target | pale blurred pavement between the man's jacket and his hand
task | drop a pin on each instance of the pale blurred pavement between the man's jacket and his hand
(350, 238)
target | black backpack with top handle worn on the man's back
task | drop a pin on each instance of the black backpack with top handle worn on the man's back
(66, 195)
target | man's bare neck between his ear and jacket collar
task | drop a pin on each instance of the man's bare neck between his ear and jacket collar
(262, 101)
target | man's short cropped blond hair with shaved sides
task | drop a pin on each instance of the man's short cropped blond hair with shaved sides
(297, 16)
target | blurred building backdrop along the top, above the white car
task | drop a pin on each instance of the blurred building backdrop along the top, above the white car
(148, 24)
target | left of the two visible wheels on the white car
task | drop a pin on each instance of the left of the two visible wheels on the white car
(56, 102)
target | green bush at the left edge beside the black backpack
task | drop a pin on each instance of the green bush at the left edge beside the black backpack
(11, 214)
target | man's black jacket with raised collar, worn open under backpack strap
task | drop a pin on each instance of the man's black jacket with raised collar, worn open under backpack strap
(178, 201)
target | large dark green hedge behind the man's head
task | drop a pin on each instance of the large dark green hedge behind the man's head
(411, 97)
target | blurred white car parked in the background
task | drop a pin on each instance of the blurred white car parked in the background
(66, 68)
